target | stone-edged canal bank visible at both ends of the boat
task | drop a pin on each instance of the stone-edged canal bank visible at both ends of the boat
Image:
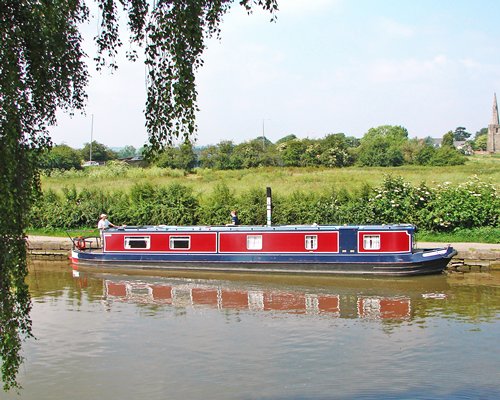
(470, 255)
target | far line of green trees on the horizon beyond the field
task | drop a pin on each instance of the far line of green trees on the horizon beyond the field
(384, 146)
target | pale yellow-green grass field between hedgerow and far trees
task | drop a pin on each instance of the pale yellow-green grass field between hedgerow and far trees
(282, 180)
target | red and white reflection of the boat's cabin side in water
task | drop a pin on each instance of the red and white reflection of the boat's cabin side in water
(224, 297)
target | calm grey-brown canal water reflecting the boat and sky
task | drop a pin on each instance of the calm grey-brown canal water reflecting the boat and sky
(112, 335)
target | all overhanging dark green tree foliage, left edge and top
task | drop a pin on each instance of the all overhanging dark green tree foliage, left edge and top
(42, 69)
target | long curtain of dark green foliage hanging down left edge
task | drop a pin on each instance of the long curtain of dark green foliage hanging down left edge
(41, 70)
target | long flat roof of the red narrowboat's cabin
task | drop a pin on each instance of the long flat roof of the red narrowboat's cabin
(259, 228)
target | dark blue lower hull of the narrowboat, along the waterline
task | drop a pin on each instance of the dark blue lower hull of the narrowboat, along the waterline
(416, 263)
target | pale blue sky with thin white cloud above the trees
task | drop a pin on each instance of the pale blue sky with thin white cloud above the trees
(325, 66)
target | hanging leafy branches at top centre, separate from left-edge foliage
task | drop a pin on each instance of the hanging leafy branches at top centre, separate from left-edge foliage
(176, 32)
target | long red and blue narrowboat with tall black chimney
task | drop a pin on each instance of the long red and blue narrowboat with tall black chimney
(312, 249)
